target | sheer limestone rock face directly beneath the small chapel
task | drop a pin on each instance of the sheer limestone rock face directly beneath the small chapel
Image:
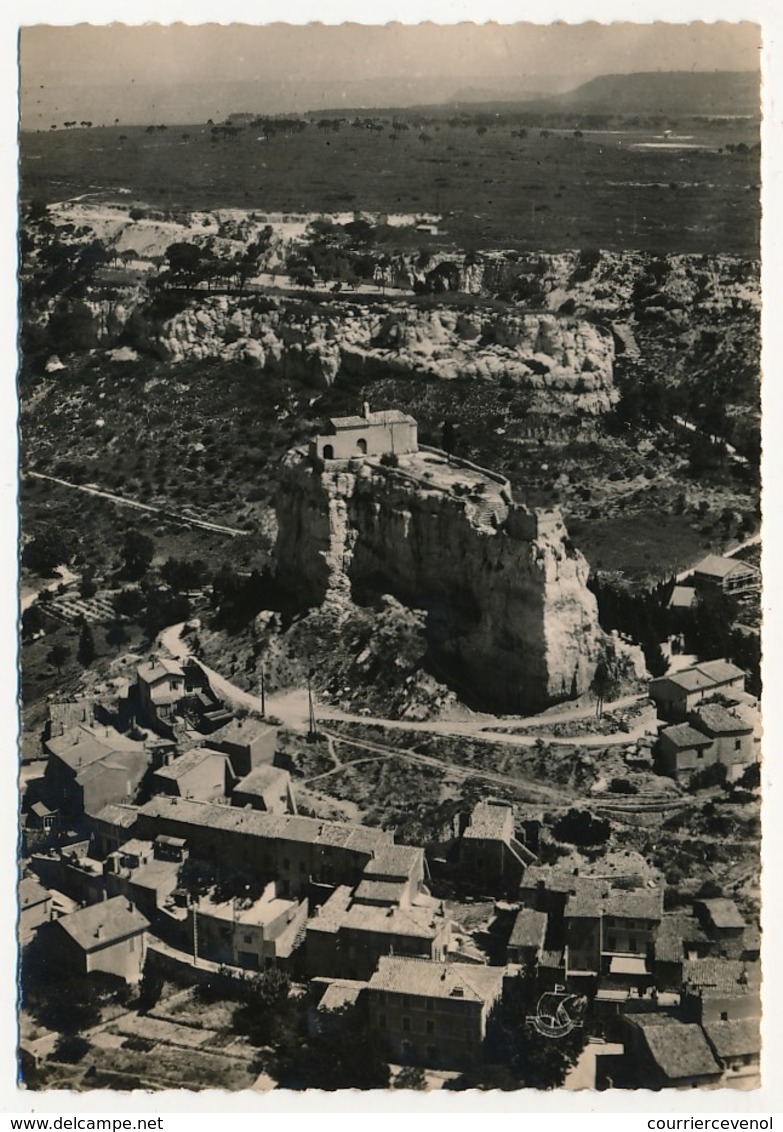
(511, 622)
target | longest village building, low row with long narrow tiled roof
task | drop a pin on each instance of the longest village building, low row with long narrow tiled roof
(296, 851)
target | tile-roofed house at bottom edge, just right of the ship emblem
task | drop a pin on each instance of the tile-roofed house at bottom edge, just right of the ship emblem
(665, 1053)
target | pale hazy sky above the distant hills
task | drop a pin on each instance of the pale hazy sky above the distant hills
(89, 55)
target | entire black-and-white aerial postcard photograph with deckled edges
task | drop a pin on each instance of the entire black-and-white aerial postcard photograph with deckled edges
(390, 558)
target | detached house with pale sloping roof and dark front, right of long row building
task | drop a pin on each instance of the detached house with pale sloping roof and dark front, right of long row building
(489, 852)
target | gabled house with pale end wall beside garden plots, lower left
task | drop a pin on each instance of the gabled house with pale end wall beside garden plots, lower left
(109, 937)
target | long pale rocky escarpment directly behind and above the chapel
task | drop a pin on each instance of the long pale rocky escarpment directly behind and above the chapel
(554, 357)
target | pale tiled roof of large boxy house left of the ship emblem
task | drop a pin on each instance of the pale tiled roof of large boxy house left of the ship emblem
(421, 977)
